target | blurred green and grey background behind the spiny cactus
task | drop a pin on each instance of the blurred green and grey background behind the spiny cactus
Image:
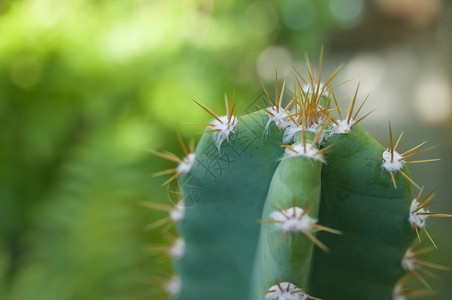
(87, 86)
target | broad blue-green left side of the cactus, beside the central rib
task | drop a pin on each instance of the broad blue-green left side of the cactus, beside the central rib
(222, 222)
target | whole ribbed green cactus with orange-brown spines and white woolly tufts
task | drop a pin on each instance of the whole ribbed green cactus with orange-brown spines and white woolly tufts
(296, 202)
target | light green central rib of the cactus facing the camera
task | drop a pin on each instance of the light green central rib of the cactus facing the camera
(290, 215)
